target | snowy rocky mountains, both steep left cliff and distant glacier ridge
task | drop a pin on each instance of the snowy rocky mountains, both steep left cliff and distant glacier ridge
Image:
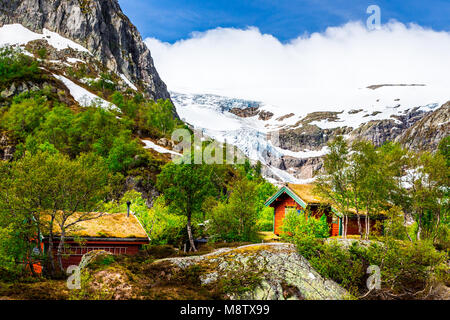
(83, 43)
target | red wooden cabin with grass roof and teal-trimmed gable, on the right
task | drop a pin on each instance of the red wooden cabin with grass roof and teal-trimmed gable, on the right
(303, 199)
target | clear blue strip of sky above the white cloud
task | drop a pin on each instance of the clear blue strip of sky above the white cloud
(172, 20)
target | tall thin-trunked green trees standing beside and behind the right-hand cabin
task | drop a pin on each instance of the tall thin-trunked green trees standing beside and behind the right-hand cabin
(373, 180)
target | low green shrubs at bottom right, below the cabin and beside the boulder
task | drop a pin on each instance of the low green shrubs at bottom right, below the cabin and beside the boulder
(406, 268)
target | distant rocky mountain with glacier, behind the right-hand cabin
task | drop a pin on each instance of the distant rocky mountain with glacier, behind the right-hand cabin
(291, 145)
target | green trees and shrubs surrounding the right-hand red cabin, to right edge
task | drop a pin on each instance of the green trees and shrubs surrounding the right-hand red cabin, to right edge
(412, 258)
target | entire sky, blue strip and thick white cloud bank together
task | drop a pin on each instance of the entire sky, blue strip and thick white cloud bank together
(303, 55)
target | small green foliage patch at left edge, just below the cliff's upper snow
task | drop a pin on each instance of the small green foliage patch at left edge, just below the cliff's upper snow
(14, 65)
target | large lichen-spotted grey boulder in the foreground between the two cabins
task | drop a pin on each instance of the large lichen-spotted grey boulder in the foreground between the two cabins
(280, 273)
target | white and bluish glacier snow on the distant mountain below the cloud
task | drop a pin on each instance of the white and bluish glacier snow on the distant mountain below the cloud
(211, 115)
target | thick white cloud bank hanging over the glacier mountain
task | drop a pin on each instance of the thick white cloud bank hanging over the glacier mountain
(326, 71)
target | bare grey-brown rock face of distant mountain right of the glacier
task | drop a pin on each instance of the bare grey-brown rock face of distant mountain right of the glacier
(415, 129)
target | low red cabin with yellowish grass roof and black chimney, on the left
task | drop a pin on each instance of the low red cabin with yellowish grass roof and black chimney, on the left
(117, 233)
